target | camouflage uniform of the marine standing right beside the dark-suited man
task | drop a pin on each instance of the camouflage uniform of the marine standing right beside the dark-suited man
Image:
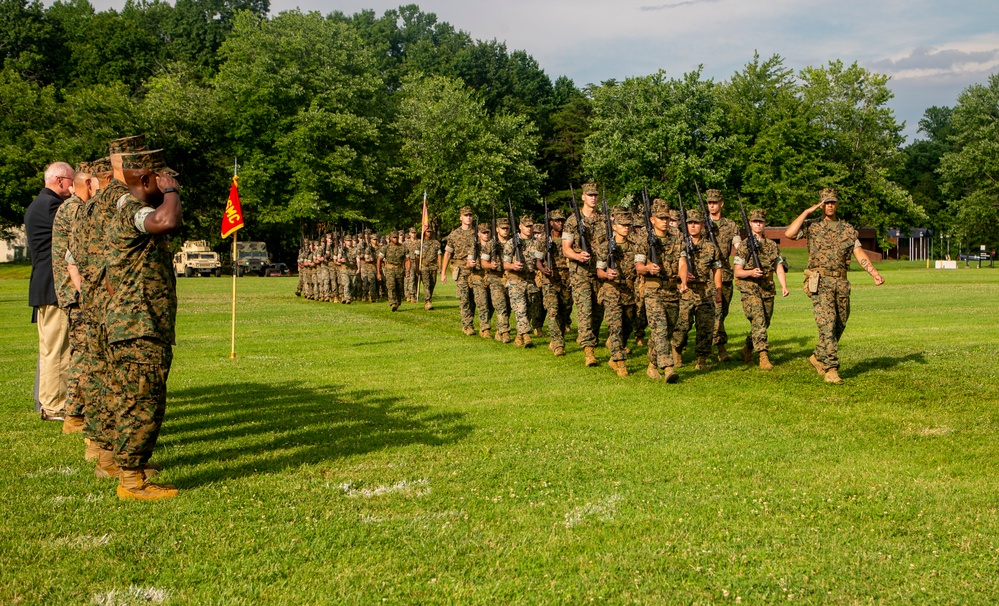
(69, 301)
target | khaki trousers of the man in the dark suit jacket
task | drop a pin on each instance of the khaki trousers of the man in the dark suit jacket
(53, 359)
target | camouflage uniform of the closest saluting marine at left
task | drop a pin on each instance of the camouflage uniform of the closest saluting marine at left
(140, 318)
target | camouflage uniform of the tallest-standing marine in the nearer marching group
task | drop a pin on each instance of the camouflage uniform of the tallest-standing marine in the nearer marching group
(583, 278)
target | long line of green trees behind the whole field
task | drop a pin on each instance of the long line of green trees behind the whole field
(343, 121)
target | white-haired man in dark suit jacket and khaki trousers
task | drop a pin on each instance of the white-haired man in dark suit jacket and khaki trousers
(53, 327)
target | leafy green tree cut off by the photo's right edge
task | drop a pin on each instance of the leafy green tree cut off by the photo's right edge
(970, 171)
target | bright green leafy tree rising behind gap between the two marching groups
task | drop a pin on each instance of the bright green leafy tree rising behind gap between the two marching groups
(460, 155)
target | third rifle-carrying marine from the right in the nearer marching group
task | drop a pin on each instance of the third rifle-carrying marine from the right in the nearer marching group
(700, 292)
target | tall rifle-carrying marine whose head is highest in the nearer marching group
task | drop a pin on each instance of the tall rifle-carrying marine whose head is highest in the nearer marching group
(583, 270)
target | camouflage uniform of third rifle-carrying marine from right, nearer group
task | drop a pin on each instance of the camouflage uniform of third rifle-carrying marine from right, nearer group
(697, 305)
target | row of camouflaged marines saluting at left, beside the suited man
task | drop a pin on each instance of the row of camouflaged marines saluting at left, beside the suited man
(115, 279)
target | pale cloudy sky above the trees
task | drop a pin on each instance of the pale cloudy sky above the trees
(931, 49)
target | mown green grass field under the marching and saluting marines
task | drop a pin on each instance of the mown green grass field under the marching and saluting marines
(353, 455)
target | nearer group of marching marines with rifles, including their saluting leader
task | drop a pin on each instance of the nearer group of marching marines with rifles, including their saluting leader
(663, 270)
